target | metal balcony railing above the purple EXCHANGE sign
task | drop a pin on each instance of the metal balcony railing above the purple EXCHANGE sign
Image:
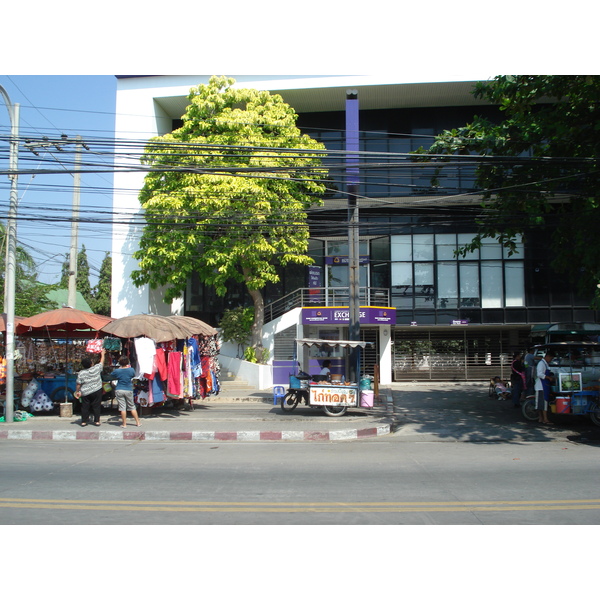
(339, 296)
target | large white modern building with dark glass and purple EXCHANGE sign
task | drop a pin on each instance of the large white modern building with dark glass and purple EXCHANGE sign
(427, 313)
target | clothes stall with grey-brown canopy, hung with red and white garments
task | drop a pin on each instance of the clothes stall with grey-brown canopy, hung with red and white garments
(175, 359)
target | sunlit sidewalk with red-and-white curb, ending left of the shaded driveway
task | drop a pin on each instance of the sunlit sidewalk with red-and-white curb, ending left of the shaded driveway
(216, 418)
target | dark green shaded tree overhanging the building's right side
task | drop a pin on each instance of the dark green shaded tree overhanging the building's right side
(539, 166)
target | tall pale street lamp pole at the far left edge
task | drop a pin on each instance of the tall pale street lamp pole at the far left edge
(11, 260)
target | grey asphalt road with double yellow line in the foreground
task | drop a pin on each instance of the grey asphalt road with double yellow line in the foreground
(384, 481)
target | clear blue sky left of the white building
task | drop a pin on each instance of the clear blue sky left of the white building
(50, 106)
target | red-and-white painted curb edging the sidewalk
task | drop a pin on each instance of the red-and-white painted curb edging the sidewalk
(195, 436)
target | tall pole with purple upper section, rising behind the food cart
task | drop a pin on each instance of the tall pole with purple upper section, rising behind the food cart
(352, 148)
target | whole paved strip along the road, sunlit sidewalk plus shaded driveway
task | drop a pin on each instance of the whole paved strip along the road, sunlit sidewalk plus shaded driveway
(410, 412)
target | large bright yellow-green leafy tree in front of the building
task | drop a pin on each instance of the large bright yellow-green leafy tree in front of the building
(227, 194)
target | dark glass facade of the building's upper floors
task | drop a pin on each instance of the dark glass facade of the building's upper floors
(413, 251)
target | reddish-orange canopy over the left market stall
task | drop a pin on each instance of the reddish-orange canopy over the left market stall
(62, 322)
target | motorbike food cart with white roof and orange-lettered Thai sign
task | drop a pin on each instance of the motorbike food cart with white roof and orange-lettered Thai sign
(334, 395)
